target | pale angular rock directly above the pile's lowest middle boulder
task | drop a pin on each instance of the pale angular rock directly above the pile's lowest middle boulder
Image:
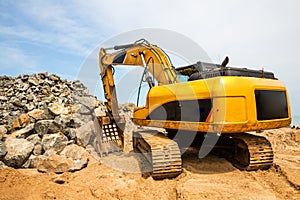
(56, 142)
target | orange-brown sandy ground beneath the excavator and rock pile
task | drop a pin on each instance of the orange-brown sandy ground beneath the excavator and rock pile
(119, 177)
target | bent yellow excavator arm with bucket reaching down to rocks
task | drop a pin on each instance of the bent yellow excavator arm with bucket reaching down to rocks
(140, 53)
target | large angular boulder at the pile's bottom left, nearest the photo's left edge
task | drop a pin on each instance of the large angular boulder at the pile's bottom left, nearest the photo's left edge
(18, 151)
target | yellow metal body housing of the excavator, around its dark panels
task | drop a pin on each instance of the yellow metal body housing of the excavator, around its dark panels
(234, 105)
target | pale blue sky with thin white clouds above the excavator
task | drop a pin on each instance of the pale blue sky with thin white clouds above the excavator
(60, 36)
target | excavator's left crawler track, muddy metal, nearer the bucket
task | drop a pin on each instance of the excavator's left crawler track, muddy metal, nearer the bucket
(161, 152)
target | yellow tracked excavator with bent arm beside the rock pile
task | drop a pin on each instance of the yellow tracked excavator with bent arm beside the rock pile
(233, 103)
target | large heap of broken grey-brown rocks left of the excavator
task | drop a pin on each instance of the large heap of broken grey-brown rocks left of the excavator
(46, 123)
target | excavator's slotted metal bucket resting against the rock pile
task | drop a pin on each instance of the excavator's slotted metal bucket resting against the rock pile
(110, 137)
